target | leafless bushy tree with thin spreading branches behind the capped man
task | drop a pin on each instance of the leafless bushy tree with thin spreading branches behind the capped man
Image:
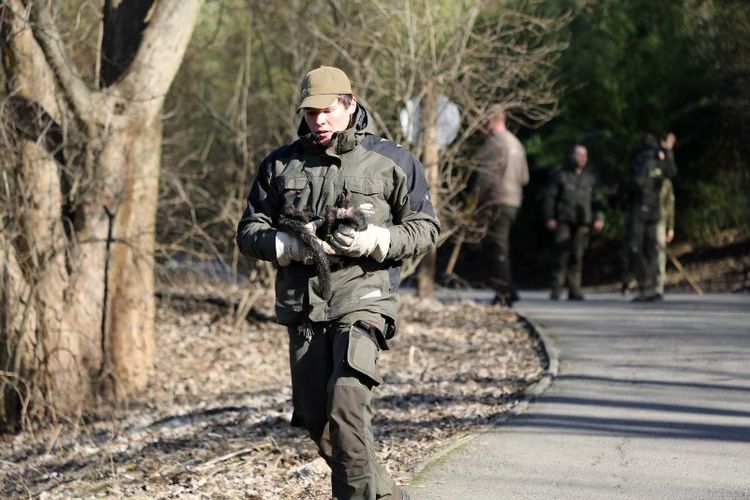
(475, 52)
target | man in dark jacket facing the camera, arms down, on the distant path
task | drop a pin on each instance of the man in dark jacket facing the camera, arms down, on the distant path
(572, 204)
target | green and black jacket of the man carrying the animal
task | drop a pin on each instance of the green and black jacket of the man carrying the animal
(386, 182)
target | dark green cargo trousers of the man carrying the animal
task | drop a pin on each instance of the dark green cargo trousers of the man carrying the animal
(334, 367)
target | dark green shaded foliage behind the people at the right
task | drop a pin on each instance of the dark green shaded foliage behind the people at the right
(638, 66)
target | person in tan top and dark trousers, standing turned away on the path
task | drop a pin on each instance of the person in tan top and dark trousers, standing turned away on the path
(503, 172)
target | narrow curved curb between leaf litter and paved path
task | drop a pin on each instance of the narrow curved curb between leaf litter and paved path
(552, 355)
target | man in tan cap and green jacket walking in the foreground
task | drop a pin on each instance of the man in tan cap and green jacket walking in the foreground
(335, 342)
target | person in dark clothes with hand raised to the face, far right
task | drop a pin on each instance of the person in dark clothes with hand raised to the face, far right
(652, 165)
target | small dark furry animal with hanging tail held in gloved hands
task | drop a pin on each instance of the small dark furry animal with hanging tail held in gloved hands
(293, 221)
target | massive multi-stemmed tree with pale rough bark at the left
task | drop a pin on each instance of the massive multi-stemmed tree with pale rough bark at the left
(77, 302)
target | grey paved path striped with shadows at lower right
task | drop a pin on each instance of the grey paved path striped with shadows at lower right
(650, 401)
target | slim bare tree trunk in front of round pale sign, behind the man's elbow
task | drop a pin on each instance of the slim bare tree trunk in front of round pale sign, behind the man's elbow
(430, 158)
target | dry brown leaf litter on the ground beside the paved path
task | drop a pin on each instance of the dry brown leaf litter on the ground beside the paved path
(214, 421)
